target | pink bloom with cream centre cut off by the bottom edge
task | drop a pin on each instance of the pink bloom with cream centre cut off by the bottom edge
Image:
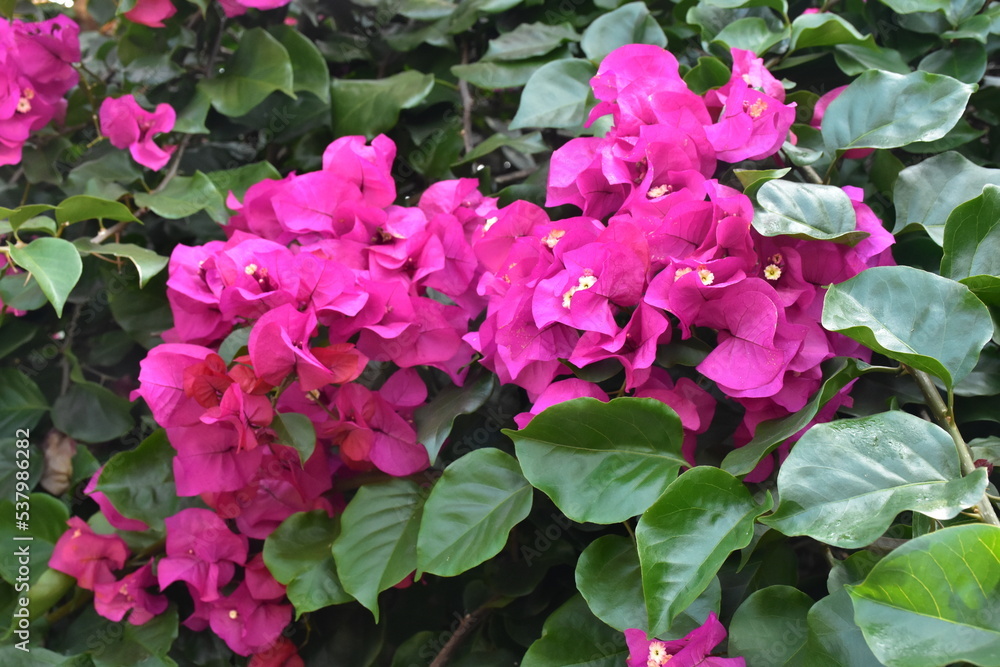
(690, 651)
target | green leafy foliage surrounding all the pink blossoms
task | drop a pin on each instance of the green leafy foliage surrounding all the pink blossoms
(863, 550)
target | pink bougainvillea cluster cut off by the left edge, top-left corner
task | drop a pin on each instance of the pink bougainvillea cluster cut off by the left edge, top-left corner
(36, 72)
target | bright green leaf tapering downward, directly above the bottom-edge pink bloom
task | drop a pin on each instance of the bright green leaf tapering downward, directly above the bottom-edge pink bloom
(687, 534)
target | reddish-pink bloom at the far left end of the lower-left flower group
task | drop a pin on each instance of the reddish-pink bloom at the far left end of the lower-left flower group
(87, 556)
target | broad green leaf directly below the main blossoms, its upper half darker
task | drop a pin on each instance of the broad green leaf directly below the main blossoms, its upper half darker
(572, 450)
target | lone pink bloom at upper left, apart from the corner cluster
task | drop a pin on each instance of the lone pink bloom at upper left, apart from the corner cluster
(127, 125)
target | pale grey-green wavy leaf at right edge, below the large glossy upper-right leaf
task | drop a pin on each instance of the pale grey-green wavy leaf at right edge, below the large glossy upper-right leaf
(926, 194)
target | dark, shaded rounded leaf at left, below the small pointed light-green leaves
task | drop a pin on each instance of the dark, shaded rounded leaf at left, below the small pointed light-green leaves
(90, 413)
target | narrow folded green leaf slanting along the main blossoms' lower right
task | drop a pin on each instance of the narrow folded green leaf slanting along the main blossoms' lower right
(769, 434)
